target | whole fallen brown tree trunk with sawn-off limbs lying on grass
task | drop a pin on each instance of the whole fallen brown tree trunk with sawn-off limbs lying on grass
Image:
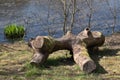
(78, 46)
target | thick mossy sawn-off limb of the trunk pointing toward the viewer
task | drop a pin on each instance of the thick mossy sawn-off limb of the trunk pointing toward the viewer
(81, 57)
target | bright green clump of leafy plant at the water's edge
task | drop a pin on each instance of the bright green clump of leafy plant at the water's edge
(14, 31)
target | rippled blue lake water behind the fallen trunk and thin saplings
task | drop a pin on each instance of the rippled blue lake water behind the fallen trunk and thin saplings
(43, 17)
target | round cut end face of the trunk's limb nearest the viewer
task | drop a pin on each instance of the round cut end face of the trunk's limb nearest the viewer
(88, 66)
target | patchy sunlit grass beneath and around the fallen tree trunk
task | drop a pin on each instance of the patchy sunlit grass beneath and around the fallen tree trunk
(15, 58)
